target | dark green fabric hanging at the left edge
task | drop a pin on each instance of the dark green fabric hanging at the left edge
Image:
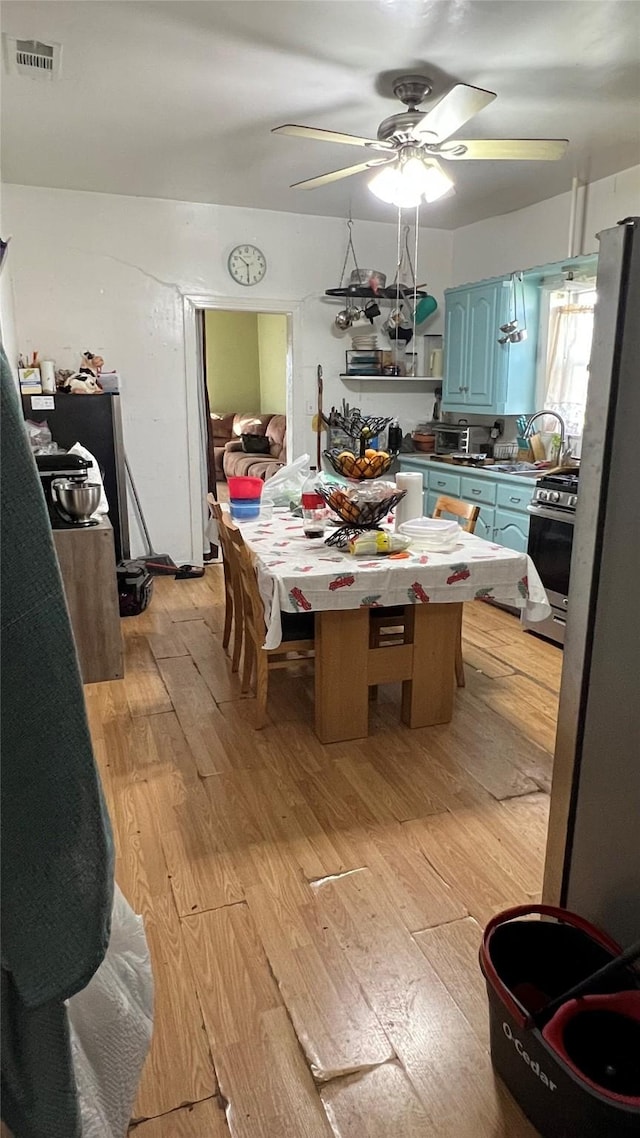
(58, 854)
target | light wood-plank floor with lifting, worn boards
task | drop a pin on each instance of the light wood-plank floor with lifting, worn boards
(314, 913)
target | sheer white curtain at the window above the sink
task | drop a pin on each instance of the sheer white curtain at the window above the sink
(571, 331)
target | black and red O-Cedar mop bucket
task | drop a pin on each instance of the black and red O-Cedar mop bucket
(551, 1051)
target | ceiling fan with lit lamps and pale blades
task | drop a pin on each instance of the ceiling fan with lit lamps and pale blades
(411, 144)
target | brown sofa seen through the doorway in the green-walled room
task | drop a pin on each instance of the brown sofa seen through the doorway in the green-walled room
(226, 446)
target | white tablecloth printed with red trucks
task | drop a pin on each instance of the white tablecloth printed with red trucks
(299, 575)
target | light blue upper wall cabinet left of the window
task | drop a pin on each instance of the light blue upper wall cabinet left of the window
(482, 376)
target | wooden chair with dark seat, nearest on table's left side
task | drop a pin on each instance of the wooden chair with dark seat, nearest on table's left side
(259, 659)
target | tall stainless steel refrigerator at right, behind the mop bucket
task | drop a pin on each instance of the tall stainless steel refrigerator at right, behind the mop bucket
(594, 852)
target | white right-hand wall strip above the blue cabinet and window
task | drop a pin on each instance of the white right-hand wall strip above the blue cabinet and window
(540, 234)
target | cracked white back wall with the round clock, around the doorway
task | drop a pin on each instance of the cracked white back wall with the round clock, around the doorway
(109, 274)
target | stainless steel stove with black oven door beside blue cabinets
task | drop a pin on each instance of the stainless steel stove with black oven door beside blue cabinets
(551, 542)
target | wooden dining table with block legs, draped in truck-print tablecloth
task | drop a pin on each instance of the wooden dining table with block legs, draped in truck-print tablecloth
(298, 574)
